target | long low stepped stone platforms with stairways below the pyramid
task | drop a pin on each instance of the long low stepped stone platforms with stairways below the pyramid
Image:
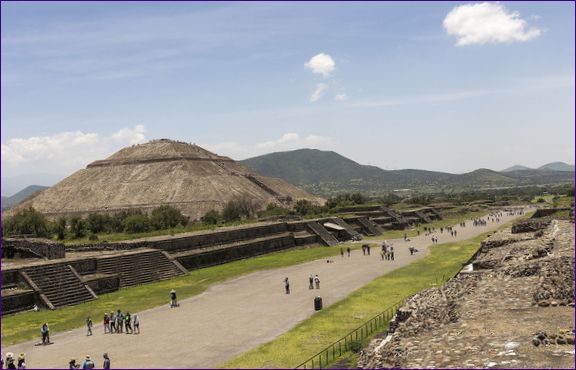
(32, 276)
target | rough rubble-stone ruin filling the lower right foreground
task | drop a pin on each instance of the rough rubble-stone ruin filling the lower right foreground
(511, 307)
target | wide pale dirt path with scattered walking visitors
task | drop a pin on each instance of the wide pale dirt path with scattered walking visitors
(231, 317)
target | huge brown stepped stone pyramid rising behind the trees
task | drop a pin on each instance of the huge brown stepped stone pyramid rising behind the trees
(161, 172)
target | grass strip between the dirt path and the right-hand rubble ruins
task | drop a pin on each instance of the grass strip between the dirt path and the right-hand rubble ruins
(324, 327)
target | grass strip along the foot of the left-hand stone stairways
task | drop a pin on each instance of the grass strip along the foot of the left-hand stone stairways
(26, 325)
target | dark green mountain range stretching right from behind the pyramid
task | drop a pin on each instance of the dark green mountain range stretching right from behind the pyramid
(327, 173)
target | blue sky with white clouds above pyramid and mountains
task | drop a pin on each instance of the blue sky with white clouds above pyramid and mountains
(446, 86)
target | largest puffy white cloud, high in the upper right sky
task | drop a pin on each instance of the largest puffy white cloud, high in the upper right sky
(483, 23)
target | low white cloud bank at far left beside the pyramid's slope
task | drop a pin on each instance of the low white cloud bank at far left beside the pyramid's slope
(64, 152)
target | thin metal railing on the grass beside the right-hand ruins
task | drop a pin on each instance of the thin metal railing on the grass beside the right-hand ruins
(344, 344)
